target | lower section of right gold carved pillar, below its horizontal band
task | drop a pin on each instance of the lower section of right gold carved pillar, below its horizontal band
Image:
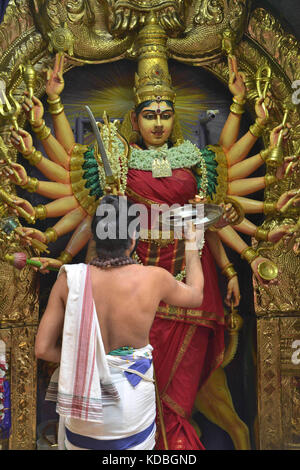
(278, 381)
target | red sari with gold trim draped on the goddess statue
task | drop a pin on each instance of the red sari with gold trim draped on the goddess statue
(188, 343)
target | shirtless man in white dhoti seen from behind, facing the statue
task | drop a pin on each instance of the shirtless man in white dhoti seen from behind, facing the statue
(124, 299)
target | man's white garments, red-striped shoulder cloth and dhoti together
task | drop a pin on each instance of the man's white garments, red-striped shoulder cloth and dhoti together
(102, 405)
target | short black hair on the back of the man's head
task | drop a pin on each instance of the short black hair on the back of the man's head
(114, 219)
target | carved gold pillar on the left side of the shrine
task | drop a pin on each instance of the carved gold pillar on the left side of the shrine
(18, 324)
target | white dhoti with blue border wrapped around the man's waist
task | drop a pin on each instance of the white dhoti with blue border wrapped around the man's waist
(128, 423)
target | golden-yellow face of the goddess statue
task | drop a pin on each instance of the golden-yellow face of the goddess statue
(155, 123)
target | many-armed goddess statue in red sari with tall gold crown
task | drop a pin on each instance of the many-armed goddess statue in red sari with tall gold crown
(155, 165)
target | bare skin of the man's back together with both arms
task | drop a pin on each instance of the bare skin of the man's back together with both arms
(126, 299)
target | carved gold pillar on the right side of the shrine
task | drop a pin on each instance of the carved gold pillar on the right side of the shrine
(278, 377)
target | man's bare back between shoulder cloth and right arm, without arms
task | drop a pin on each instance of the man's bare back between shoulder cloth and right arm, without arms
(126, 300)
